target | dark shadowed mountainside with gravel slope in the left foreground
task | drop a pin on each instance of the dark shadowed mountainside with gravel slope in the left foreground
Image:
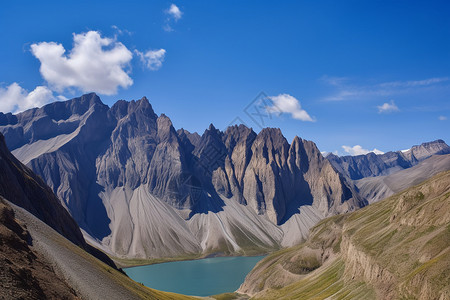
(42, 252)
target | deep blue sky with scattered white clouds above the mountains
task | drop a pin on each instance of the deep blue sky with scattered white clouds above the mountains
(340, 73)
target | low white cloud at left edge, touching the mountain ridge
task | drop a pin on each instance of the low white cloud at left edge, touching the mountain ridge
(15, 99)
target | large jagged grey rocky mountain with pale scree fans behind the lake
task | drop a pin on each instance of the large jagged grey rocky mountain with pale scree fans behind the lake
(142, 189)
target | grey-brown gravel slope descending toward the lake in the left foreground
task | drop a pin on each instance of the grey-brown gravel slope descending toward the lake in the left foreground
(90, 278)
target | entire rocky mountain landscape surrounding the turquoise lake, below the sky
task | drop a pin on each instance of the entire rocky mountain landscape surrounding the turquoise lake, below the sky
(141, 191)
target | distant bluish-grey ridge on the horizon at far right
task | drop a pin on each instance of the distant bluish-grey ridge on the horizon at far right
(371, 164)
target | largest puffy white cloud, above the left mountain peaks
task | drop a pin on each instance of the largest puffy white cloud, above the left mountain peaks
(94, 64)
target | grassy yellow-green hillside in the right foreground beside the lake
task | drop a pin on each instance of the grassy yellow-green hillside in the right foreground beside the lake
(398, 248)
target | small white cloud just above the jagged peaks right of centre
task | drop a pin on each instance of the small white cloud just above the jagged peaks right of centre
(285, 103)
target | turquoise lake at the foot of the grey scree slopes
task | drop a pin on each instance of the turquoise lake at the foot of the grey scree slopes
(203, 277)
